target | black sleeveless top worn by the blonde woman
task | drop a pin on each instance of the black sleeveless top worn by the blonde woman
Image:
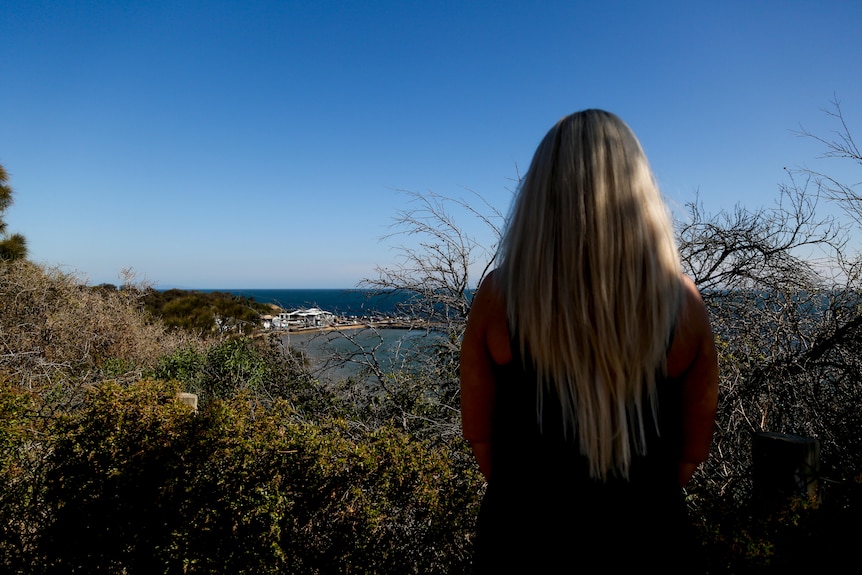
(543, 513)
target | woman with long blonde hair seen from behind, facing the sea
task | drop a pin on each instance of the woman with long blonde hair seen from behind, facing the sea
(588, 370)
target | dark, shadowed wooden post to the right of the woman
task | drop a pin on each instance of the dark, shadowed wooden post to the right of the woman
(784, 466)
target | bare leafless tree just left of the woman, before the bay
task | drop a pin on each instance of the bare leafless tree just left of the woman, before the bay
(414, 381)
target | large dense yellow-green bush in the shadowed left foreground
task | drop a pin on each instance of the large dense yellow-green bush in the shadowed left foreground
(138, 483)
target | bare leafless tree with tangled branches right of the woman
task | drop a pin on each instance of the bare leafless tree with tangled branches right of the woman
(782, 290)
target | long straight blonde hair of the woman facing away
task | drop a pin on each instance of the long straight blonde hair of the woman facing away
(591, 277)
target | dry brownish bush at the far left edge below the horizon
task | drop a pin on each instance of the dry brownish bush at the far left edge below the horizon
(58, 334)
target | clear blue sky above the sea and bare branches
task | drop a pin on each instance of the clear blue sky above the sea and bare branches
(212, 144)
